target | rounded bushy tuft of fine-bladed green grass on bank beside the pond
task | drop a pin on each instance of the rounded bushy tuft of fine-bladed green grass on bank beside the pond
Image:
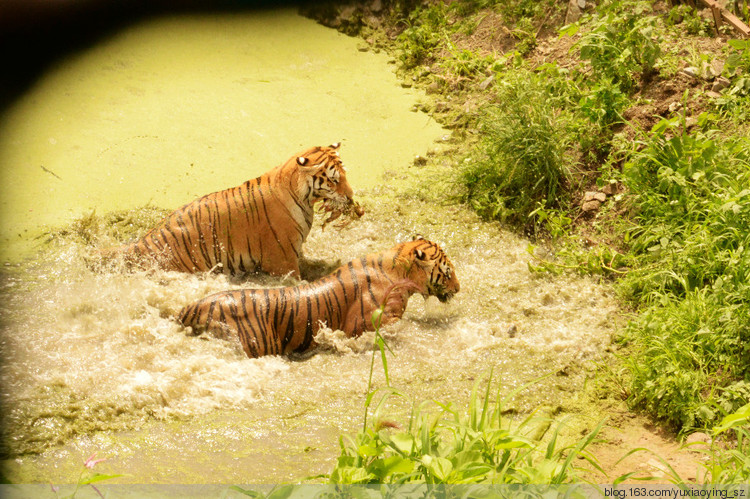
(519, 165)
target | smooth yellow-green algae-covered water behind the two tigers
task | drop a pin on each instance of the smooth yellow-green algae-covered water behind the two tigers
(176, 107)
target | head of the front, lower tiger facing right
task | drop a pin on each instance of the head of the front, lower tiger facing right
(429, 268)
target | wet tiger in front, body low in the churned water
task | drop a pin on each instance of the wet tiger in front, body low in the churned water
(284, 320)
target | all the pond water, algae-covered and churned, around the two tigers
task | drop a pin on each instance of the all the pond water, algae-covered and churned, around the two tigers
(94, 362)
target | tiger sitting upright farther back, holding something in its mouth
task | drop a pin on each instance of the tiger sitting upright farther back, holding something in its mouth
(257, 226)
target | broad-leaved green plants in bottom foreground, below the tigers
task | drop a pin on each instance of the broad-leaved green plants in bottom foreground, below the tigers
(450, 447)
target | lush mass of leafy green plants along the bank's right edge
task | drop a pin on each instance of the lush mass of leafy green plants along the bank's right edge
(691, 199)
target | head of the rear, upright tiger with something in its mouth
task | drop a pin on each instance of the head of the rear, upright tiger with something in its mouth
(325, 176)
